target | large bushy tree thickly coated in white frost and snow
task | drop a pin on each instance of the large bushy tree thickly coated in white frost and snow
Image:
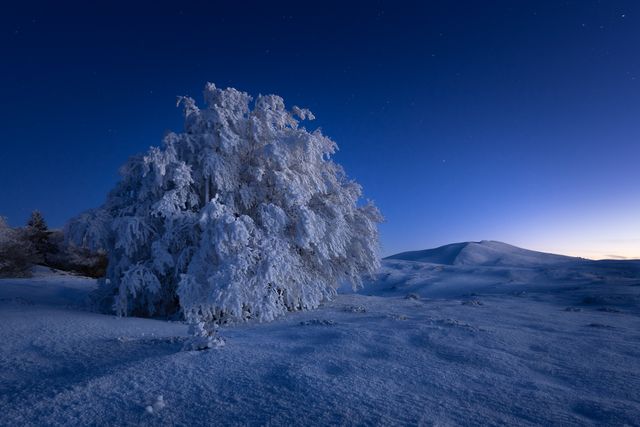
(241, 216)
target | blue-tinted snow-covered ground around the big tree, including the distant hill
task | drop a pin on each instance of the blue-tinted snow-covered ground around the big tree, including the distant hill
(467, 334)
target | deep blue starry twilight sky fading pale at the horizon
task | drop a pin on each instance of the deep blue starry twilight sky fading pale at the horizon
(463, 120)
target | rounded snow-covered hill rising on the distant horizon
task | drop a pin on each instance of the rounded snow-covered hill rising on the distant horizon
(483, 253)
